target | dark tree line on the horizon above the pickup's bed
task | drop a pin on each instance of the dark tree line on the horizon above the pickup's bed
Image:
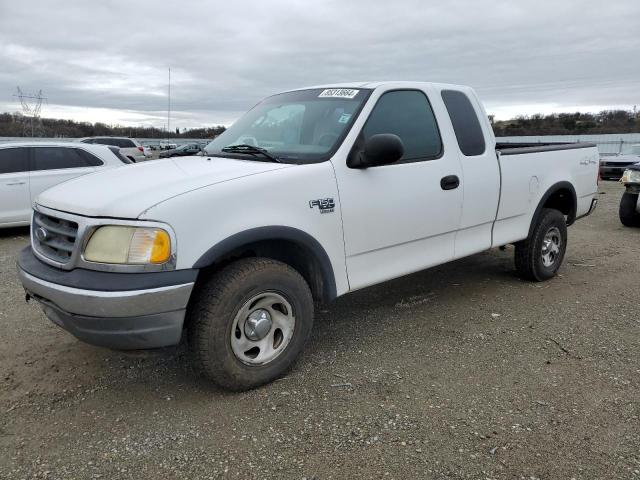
(607, 121)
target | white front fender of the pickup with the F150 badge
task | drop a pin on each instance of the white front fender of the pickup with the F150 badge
(285, 202)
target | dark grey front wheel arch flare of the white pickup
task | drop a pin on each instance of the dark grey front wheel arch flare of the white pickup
(290, 245)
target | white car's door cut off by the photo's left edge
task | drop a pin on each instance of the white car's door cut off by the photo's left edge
(15, 206)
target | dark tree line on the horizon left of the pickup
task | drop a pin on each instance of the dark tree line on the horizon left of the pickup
(17, 125)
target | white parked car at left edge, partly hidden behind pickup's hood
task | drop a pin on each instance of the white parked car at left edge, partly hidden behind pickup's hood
(28, 168)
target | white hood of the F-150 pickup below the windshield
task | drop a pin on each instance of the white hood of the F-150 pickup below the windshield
(128, 191)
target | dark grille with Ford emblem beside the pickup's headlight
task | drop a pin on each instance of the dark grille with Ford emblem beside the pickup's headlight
(53, 237)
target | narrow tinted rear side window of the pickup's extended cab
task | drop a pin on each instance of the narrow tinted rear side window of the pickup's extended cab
(465, 122)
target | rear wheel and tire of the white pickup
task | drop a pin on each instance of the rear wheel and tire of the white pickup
(530, 259)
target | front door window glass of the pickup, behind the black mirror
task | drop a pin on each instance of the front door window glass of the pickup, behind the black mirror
(407, 114)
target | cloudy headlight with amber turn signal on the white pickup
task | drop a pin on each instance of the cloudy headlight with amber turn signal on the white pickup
(128, 245)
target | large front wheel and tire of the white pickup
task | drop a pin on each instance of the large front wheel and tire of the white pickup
(219, 323)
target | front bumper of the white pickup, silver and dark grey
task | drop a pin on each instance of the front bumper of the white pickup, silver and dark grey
(145, 311)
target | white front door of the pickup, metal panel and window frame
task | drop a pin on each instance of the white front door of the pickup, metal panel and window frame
(396, 218)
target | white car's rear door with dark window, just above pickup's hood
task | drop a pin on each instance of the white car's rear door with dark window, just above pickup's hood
(53, 165)
